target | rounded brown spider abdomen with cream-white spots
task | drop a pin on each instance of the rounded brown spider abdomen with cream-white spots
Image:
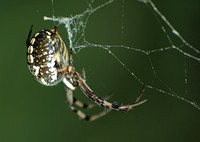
(47, 56)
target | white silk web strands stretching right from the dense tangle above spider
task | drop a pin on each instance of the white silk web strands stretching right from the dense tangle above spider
(76, 25)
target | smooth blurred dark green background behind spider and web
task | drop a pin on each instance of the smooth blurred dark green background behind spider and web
(30, 112)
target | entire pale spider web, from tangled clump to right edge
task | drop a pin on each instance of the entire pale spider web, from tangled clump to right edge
(76, 27)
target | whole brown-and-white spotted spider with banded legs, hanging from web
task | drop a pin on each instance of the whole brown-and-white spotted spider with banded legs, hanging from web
(49, 63)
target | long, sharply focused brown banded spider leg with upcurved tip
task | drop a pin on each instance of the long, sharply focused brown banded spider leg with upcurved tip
(92, 96)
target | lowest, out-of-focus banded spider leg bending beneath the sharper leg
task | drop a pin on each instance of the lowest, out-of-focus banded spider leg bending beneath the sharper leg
(82, 115)
